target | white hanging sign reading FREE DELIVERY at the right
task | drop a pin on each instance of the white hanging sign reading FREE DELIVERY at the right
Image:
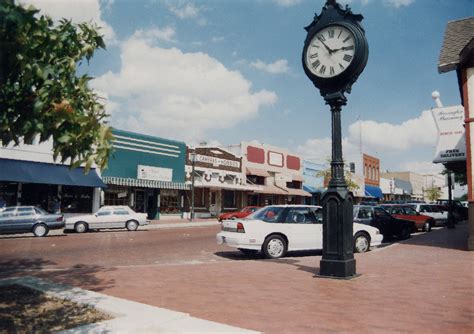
(451, 144)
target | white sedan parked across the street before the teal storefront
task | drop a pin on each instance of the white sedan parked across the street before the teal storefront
(107, 217)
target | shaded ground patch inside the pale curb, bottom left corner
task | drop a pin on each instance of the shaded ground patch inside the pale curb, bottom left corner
(25, 310)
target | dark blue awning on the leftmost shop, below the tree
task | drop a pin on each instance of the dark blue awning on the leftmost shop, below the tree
(44, 173)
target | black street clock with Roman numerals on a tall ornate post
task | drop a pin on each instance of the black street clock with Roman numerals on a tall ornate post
(334, 55)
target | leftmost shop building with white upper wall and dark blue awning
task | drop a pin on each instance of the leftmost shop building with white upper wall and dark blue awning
(30, 176)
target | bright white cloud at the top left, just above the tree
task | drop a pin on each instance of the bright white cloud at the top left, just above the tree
(77, 12)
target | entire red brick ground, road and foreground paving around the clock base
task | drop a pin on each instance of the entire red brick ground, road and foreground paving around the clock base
(420, 284)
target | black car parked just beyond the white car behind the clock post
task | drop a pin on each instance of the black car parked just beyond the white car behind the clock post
(387, 224)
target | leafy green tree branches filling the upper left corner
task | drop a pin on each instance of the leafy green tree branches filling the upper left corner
(41, 94)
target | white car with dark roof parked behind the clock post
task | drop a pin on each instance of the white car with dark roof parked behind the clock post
(276, 229)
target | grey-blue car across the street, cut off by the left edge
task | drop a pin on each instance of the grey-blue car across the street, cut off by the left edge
(29, 219)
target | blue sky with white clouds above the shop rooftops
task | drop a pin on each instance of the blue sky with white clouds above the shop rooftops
(224, 71)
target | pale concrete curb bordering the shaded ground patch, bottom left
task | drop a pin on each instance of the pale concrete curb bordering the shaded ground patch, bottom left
(130, 317)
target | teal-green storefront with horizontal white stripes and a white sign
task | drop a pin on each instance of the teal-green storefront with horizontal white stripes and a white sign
(147, 174)
